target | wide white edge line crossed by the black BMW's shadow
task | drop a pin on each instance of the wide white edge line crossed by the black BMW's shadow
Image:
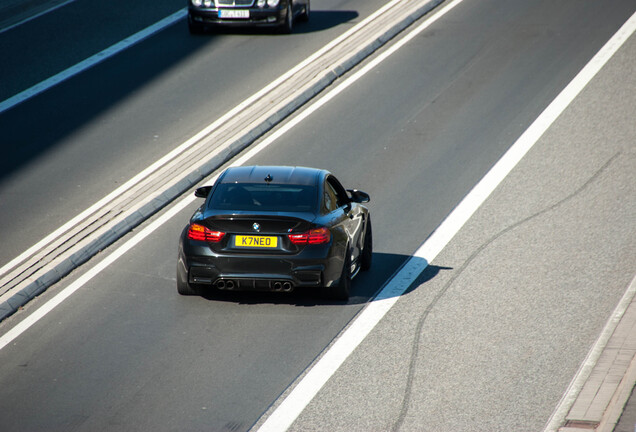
(309, 386)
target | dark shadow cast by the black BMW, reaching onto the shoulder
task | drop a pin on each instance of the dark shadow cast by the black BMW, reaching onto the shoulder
(365, 286)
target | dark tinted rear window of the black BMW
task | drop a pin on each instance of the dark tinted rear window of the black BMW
(264, 197)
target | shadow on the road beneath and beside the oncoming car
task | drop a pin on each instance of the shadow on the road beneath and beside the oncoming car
(319, 21)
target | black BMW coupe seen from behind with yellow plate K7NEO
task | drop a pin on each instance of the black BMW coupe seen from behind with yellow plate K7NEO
(275, 228)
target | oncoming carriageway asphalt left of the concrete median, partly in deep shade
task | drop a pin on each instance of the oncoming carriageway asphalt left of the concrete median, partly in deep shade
(72, 145)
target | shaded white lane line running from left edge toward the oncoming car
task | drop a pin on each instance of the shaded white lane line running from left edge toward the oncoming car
(91, 61)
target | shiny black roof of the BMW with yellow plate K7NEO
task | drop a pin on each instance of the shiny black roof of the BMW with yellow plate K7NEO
(275, 174)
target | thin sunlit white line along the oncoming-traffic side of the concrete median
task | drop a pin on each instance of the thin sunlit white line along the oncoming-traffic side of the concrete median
(190, 142)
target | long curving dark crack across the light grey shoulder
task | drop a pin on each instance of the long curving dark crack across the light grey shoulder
(418, 331)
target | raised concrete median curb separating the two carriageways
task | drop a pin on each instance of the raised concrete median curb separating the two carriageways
(32, 276)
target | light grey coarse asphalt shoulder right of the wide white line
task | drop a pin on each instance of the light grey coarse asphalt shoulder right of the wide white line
(555, 244)
